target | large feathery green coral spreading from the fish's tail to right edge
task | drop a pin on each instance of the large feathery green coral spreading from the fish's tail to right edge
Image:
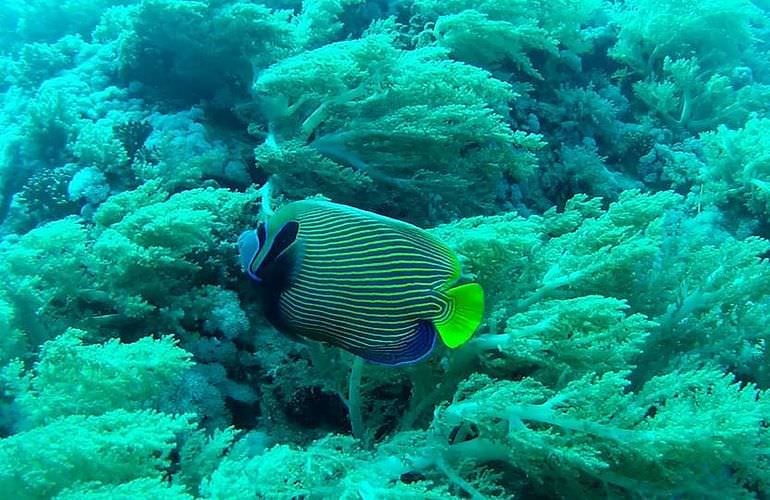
(702, 289)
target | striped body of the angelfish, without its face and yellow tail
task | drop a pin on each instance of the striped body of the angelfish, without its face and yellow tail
(365, 282)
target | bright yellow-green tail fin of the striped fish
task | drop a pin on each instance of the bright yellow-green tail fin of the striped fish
(468, 309)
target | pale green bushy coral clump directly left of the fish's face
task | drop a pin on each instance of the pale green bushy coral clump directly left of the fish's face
(181, 240)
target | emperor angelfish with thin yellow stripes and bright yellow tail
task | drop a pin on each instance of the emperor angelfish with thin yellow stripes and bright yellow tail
(378, 287)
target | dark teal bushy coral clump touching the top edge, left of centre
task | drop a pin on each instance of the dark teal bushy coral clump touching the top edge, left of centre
(214, 44)
